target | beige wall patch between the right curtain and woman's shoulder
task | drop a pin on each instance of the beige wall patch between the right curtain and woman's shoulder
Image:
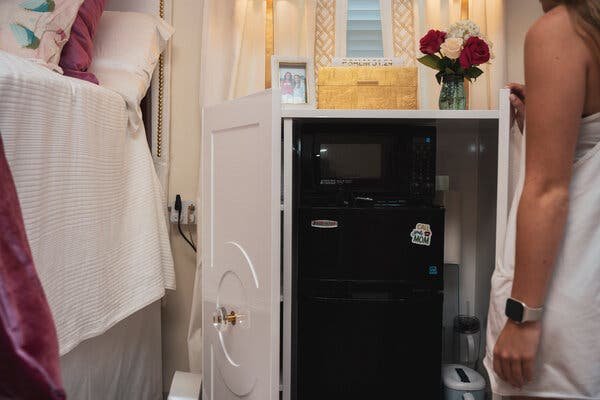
(520, 15)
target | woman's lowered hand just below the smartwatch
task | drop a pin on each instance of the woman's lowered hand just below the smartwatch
(516, 351)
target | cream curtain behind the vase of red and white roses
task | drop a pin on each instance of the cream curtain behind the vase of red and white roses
(489, 15)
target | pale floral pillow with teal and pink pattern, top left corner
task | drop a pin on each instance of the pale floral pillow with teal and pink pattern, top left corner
(37, 29)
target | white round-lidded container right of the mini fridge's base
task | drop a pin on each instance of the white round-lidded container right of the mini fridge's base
(462, 383)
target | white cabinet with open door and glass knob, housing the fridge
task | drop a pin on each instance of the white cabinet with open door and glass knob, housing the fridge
(247, 228)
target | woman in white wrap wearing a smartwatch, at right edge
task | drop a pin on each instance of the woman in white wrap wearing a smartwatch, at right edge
(544, 319)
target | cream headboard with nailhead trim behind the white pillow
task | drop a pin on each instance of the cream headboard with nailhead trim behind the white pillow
(160, 89)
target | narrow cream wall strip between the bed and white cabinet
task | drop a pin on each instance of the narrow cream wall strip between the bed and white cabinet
(185, 160)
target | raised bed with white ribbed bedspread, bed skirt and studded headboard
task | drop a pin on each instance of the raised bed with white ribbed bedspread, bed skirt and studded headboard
(90, 182)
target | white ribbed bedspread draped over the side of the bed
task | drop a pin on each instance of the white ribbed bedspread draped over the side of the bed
(92, 204)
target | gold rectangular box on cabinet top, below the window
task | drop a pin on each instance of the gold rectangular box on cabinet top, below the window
(367, 88)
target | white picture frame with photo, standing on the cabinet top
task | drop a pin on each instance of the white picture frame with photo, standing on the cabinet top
(295, 77)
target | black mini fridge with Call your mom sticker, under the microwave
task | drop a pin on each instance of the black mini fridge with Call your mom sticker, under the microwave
(368, 302)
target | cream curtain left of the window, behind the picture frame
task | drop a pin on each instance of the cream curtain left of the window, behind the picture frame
(233, 52)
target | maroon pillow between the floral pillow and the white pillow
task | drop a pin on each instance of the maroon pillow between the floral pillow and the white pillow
(76, 56)
